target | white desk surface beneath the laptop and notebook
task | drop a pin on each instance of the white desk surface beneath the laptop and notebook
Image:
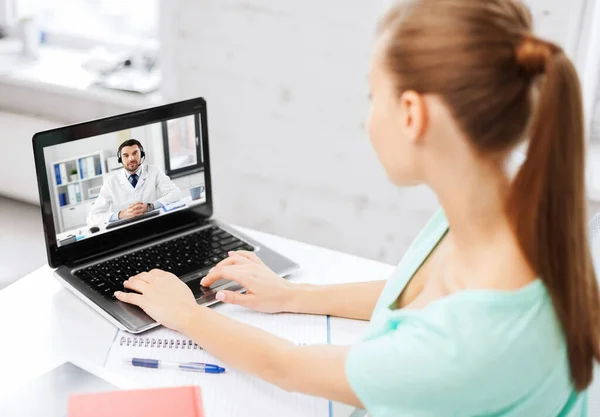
(42, 324)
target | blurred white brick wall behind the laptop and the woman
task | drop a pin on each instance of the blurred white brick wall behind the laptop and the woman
(286, 84)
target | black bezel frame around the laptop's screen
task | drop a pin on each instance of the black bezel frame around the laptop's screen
(136, 233)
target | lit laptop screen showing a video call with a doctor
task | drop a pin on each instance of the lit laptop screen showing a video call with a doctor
(104, 183)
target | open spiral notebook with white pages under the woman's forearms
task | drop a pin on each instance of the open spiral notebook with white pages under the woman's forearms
(232, 393)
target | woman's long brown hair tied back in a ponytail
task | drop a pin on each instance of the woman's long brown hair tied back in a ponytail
(502, 84)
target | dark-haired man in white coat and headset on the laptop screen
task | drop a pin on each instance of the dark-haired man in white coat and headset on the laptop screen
(134, 190)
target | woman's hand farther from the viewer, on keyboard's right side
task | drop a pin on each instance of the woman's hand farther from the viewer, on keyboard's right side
(266, 291)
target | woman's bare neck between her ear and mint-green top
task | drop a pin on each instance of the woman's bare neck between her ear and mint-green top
(484, 249)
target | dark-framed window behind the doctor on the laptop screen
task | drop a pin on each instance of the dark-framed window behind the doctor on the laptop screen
(182, 151)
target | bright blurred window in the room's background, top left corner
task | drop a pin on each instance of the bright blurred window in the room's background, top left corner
(93, 22)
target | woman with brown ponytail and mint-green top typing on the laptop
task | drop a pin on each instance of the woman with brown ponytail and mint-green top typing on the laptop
(494, 309)
